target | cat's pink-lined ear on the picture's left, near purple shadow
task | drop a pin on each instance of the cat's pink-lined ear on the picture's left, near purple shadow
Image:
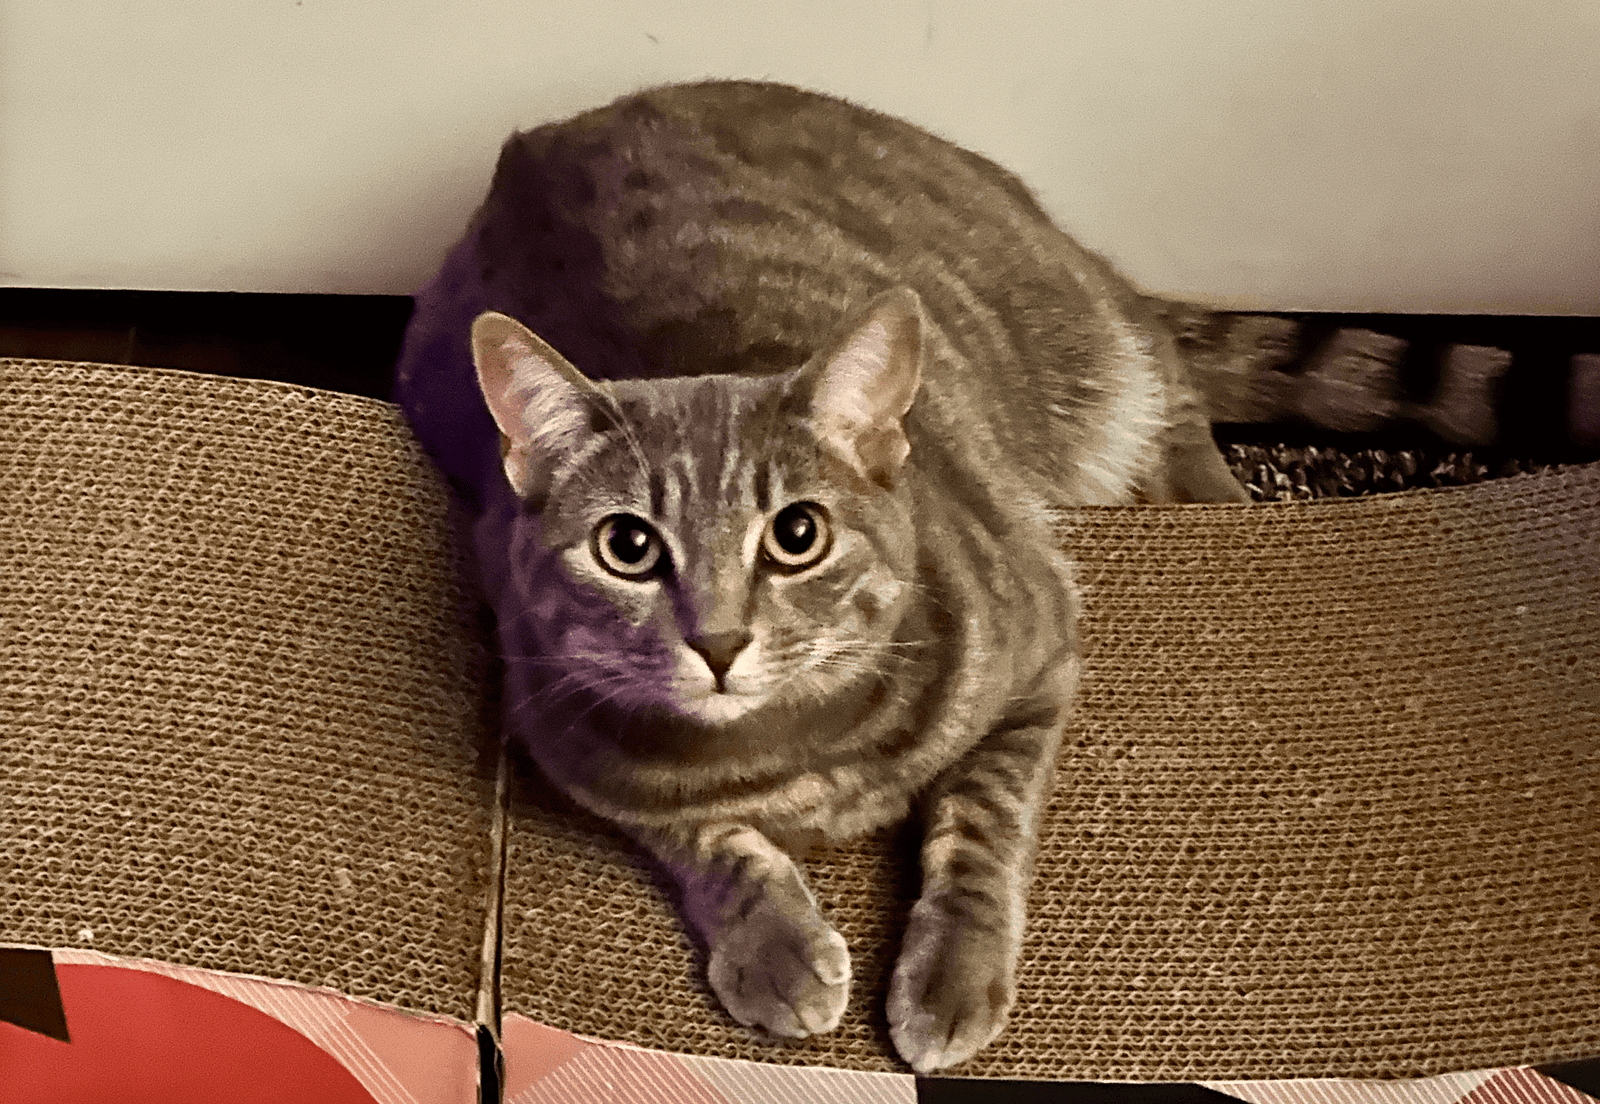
(540, 402)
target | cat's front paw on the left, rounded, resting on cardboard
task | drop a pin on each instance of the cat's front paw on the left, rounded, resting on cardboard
(783, 975)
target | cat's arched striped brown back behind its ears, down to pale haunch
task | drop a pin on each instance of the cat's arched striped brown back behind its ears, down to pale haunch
(730, 226)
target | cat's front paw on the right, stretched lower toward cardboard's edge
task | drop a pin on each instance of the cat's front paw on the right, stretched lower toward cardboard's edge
(953, 990)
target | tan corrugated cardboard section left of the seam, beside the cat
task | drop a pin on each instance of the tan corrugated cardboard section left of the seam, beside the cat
(241, 713)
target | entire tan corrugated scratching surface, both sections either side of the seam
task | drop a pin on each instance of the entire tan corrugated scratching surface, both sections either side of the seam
(1327, 810)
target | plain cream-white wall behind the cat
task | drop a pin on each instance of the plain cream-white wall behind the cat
(1290, 154)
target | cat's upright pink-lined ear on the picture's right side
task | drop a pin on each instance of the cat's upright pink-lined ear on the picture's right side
(860, 390)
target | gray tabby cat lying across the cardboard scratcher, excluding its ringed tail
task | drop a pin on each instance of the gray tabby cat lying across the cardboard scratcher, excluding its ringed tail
(788, 399)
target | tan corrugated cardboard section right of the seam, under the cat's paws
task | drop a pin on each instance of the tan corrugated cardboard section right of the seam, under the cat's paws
(1329, 809)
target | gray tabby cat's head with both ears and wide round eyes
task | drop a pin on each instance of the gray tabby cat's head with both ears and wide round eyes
(726, 545)
